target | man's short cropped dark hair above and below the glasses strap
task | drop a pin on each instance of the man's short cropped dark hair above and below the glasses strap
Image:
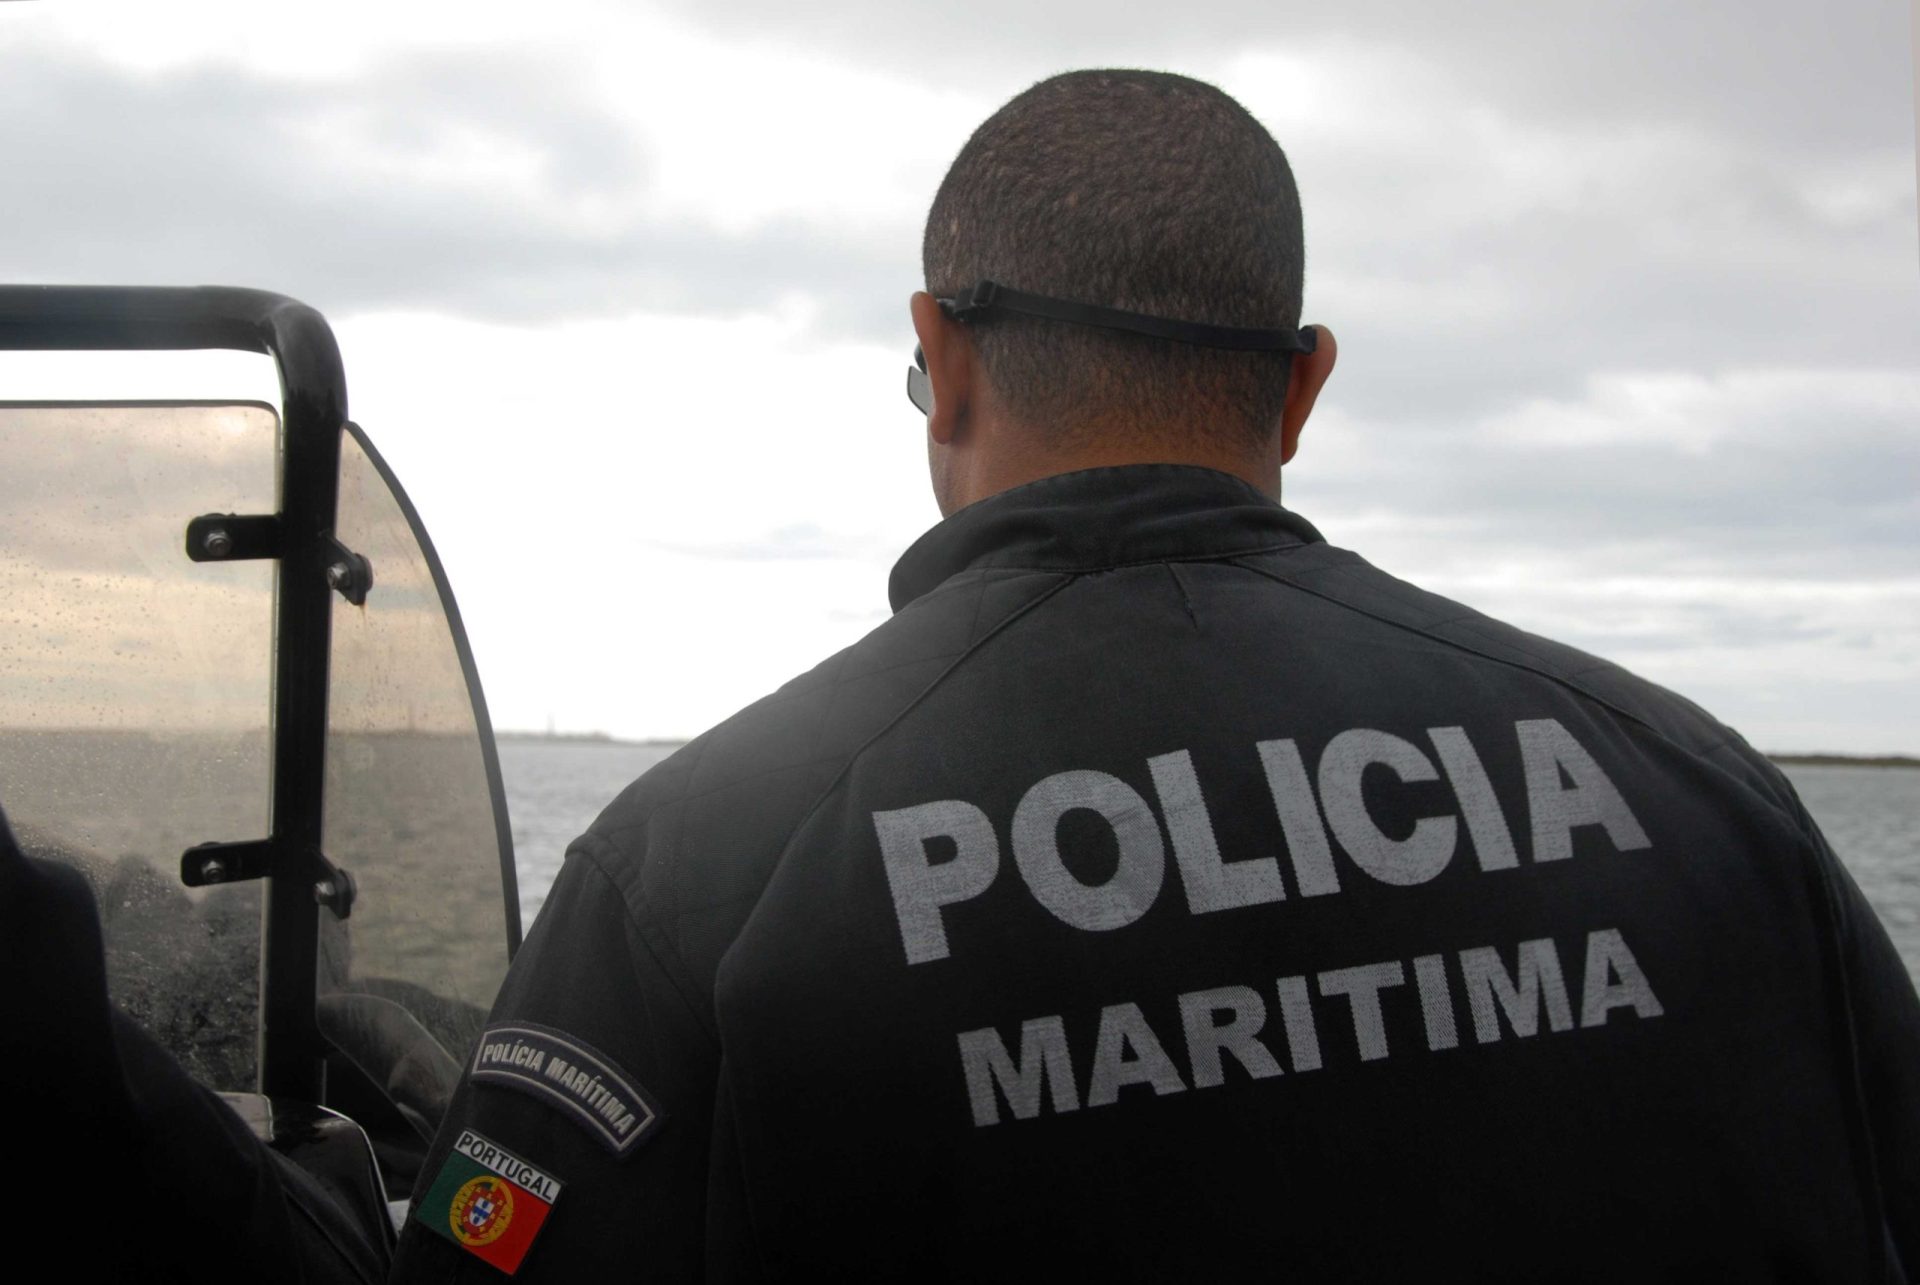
(1141, 191)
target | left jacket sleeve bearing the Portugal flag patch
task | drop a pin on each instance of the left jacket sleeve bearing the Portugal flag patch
(594, 1075)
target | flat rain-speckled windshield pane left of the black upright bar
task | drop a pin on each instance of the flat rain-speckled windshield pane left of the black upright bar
(135, 694)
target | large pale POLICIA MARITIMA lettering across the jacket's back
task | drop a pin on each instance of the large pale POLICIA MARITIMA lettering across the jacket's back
(1566, 790)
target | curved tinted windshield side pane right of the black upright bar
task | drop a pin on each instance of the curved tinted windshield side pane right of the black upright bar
(410, 785)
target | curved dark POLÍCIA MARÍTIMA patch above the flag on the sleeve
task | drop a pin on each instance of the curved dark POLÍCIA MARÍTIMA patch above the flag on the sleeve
(571, 1075)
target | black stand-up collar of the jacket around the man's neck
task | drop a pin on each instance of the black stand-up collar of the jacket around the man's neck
(1097, 520)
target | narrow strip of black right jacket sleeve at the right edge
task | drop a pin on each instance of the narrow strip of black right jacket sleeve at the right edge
(1884, 1017)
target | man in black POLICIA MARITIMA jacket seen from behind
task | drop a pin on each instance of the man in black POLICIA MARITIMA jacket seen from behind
(1164, 894)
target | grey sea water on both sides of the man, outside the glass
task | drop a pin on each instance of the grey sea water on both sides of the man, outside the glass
(1871, 817)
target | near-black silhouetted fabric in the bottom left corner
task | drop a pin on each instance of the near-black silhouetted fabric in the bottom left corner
(137, 1175)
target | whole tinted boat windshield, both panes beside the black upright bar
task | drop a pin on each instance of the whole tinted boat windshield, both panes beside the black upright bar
(135, 723)
